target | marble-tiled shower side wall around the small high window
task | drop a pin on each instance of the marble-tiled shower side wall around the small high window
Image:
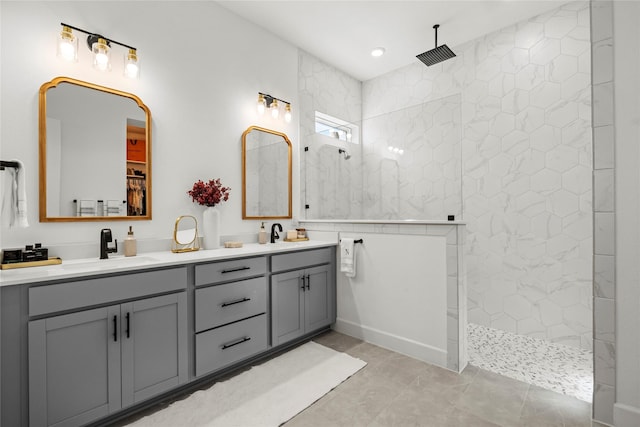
(331, 186)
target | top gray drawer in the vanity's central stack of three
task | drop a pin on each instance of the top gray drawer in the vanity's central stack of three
(230, 270)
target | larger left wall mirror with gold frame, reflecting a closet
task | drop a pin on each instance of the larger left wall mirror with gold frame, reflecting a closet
(95, 153)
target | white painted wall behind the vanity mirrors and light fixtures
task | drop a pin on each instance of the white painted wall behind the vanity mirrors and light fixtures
(201, 70)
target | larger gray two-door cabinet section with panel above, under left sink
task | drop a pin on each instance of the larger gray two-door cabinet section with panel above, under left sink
(91, 363)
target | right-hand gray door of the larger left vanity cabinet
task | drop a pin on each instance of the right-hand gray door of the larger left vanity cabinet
(154, 346)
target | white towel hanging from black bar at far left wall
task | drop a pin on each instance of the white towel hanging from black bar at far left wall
(14, 196)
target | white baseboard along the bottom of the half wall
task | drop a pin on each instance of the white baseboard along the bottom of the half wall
(415, 349)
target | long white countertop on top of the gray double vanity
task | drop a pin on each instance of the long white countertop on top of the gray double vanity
(117, 263)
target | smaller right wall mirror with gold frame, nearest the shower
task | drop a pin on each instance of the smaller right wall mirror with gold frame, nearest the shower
(266, 174)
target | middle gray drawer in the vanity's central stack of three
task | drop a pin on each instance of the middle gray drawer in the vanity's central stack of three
(222, 304)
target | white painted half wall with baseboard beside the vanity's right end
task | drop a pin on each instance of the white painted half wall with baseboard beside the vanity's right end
(398, 298)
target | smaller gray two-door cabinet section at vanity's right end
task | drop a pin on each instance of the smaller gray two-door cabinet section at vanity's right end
(302, 300)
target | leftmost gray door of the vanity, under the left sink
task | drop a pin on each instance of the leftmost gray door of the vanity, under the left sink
(74, 367)
